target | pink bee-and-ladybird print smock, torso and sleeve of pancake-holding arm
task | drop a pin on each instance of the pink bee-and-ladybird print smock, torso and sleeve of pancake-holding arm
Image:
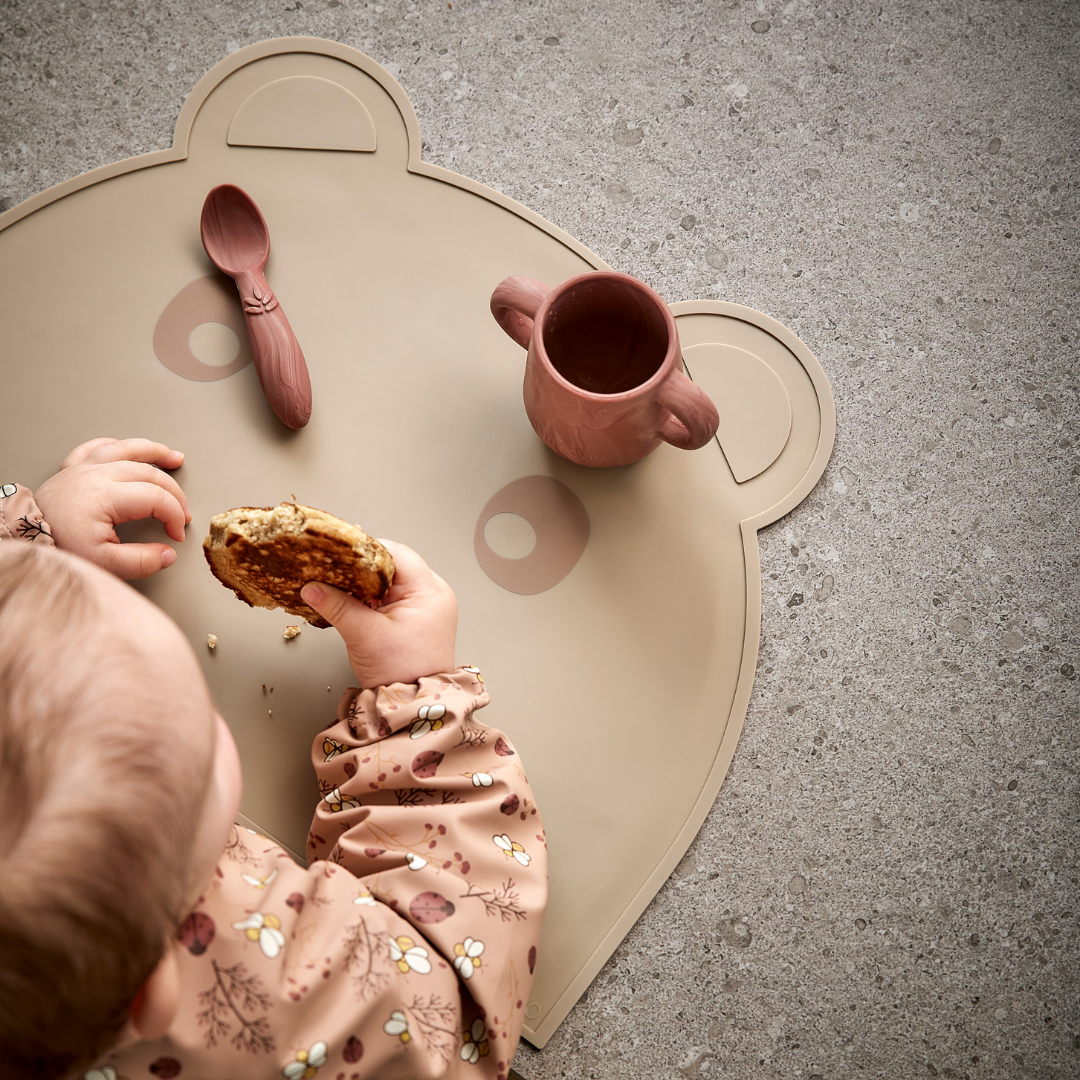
(407, 948)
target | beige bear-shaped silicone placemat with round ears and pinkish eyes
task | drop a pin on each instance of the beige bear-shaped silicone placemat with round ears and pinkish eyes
(619, 652)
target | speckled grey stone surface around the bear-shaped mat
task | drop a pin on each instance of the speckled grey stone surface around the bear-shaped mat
(888, 884)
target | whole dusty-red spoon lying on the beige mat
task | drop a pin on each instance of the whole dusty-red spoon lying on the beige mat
(238, 242)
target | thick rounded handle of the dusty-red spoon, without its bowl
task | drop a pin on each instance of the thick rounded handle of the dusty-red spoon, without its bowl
(279, 362)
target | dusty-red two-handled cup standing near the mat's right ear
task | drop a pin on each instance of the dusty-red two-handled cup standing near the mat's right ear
(604, 380)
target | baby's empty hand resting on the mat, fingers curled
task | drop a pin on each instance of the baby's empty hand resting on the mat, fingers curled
(105, 482)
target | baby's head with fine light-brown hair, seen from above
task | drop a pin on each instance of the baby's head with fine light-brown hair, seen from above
(118, 787)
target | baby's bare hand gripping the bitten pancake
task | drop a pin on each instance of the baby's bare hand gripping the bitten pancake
(410, 636)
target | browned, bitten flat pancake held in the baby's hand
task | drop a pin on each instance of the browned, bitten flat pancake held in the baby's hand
(267, 555)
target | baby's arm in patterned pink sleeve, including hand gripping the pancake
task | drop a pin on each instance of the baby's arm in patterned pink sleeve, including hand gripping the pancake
(434, 811)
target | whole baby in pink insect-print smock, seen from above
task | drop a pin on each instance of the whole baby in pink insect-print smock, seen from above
(142, 933)
